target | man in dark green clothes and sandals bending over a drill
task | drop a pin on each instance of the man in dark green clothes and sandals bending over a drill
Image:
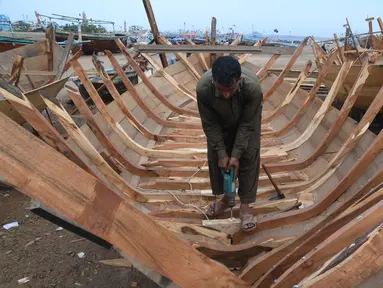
(230, 105)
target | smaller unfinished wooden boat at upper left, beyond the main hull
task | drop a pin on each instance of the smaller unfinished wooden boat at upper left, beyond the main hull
(35, 69)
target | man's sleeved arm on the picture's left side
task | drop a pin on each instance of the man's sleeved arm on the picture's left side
(210, 125)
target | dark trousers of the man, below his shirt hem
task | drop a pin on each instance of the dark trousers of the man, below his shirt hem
(249, 166)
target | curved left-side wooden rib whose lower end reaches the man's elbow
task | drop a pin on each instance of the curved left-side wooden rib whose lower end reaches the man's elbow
(136, 96)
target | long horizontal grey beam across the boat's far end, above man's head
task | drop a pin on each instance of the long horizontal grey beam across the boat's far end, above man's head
(177, 49)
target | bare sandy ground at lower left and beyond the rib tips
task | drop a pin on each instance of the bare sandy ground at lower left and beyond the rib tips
(49, 257)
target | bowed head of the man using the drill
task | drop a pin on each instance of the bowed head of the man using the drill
(226, 72)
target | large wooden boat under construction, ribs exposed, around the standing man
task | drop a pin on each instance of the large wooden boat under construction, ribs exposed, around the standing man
(135, 175)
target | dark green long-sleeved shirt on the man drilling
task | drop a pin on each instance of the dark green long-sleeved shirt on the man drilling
(233, 123)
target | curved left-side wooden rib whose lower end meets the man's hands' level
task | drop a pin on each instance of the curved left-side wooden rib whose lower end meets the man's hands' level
(127, 140)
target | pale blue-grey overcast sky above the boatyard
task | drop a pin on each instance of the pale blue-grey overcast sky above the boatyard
(318, 18)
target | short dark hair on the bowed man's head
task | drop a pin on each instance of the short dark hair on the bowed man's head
(225, 69)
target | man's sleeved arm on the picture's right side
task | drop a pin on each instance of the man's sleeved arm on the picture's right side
(250, 122)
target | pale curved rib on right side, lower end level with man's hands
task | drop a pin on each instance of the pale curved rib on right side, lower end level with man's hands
(323, 110)
